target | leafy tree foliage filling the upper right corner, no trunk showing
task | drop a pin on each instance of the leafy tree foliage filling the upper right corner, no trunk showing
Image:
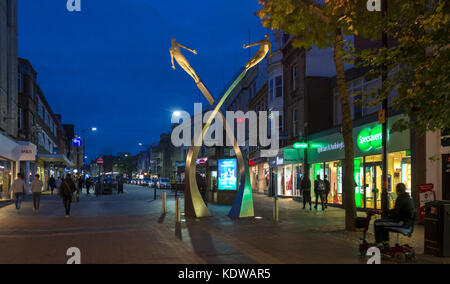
(420, 59)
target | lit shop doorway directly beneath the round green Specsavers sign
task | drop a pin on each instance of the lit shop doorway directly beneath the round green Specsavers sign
(373, 185)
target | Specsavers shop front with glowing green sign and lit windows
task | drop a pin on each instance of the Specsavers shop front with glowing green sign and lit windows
(327, 160)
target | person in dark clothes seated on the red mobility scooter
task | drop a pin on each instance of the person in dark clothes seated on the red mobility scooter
(401, 216)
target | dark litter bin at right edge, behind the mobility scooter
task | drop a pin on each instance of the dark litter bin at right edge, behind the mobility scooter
(437, 228)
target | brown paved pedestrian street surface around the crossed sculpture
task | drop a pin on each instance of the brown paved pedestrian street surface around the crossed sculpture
(130, 229)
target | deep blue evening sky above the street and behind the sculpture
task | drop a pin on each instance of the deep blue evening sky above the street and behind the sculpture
(109, 66)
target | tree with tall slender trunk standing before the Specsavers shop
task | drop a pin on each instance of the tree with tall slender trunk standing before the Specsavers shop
(324, 24)
